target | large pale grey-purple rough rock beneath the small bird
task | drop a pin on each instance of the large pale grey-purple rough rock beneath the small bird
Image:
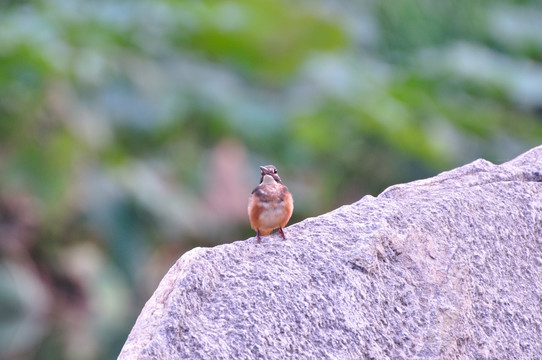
(442, 268)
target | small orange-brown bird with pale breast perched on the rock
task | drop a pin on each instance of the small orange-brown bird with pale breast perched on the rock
(270, 205)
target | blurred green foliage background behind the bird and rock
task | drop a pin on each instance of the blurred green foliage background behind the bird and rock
(131, 131)
